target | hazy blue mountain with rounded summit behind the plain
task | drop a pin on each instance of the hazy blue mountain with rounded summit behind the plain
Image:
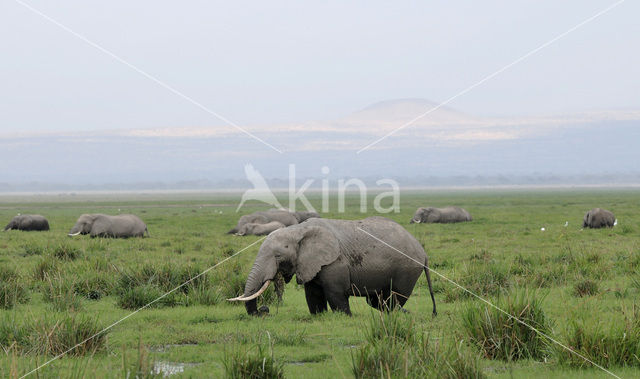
(422, 142)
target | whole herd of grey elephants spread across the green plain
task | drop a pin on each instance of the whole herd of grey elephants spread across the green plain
(375, 257)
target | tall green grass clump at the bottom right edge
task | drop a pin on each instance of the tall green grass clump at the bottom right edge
(615, 345)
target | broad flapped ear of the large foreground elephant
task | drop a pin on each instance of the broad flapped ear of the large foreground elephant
(318, 247)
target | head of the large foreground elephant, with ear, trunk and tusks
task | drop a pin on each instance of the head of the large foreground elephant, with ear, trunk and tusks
(299, 249)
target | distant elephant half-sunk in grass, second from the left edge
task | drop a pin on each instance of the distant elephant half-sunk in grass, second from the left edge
(100, 225)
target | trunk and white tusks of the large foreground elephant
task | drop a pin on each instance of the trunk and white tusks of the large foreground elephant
(263, 271)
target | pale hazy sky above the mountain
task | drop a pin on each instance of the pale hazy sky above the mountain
(274, 62)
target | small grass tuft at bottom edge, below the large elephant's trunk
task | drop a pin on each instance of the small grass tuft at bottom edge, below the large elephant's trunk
(253, 364)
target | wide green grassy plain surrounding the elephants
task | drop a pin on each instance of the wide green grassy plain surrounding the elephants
(57, 290)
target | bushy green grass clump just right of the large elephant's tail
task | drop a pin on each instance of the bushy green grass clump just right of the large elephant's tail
(500, 336)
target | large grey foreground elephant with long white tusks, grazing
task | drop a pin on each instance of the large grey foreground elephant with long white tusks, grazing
(335, 259)
